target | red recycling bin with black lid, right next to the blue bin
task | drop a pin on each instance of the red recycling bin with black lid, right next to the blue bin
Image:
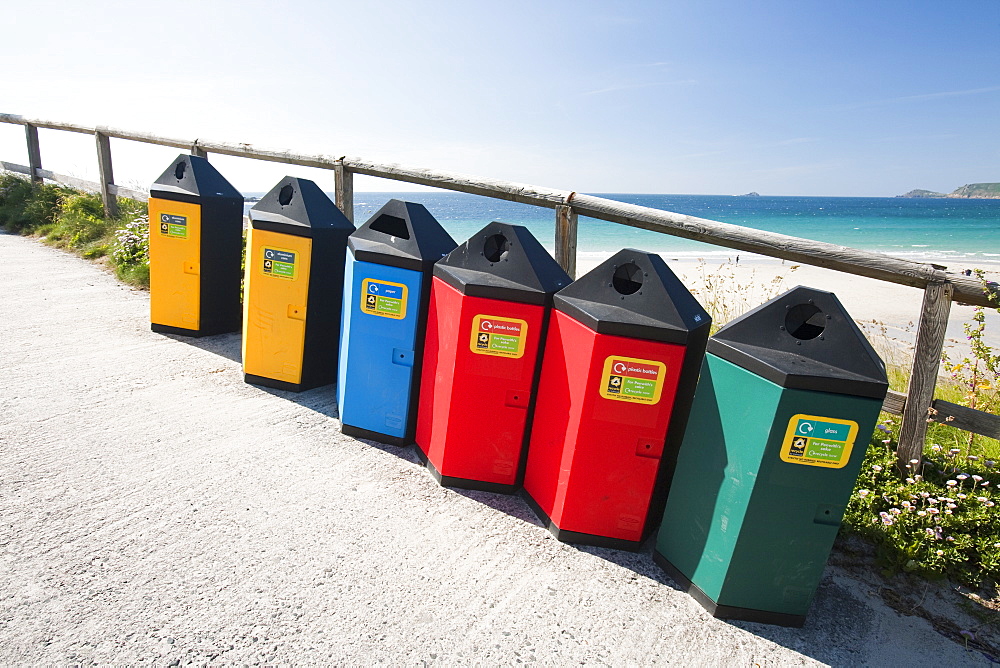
(489, 306)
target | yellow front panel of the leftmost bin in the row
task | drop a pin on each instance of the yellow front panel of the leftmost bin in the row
(175, 263)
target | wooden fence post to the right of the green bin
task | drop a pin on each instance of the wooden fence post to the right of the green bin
(923, 377)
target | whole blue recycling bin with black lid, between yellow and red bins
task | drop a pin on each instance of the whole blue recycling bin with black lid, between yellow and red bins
(387, 284)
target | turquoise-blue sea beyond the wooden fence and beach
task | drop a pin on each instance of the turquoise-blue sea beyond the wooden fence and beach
(958, 233)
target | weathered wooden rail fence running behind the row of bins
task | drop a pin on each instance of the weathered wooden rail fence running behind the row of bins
(941, 288)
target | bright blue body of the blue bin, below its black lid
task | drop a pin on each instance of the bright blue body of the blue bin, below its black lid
(378, 347)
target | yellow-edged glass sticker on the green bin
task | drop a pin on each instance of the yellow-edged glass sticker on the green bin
(818, 441)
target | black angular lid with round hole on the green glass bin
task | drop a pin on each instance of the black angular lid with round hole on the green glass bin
(804, 339)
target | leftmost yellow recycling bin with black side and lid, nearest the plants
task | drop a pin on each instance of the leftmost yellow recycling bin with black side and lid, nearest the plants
(195, 244)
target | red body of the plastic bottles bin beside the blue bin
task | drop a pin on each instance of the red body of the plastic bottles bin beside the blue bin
(474, 405)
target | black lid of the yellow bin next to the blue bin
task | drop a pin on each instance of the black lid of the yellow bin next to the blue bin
(298, 207)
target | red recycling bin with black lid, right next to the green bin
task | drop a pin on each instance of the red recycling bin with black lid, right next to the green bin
(622, 355)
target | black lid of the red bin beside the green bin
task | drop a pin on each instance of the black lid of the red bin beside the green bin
(635, 294)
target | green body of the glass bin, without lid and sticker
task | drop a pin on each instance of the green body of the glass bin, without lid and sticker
(751, 530)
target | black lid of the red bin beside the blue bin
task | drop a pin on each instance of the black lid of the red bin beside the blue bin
(503, 261)
